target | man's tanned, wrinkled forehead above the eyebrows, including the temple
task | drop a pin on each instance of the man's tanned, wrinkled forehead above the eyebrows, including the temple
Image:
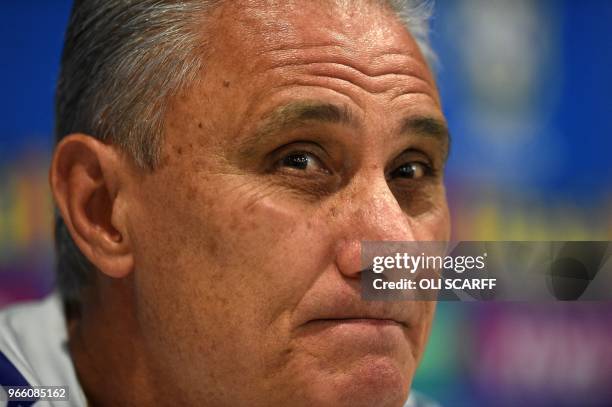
(264, 55)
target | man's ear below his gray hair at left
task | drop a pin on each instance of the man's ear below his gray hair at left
(85, 178)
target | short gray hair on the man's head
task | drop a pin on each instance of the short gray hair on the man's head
(122, 61)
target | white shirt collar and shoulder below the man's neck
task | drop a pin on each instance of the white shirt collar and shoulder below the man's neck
(33, 350)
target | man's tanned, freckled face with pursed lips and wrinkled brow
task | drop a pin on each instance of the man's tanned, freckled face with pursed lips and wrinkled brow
(311, 128)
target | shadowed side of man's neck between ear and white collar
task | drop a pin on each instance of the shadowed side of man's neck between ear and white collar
(107, 348)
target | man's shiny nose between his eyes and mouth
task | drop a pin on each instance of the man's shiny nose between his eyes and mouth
(368, 212)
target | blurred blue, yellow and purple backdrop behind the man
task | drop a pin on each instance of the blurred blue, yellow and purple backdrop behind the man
(526, 89)
